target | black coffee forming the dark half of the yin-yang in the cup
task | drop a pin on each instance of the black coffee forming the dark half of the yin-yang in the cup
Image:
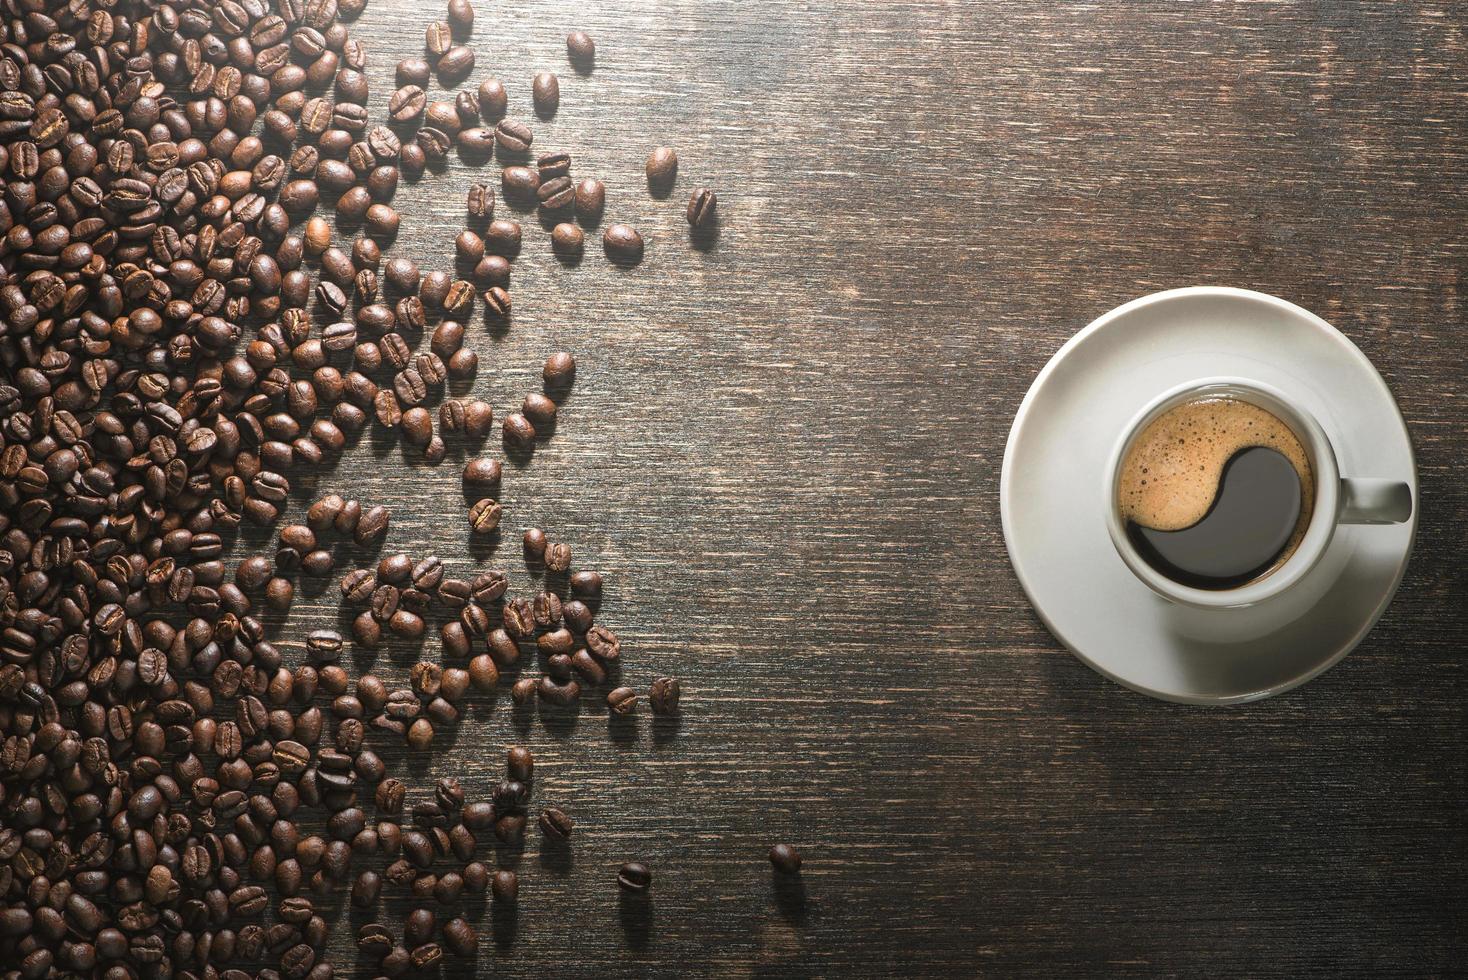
(1243, 536)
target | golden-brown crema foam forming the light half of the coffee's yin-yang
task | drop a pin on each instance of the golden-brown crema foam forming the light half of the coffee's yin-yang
(1174, 469)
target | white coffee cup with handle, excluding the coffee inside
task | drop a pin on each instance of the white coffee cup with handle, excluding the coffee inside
(1338, 500)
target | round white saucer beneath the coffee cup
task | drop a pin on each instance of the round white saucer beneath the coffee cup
(1052, 498)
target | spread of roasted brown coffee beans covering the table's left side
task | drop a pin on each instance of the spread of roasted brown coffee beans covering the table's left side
(181, 337)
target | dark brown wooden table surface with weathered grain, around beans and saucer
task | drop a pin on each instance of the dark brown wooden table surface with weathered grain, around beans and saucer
(783, 451)
